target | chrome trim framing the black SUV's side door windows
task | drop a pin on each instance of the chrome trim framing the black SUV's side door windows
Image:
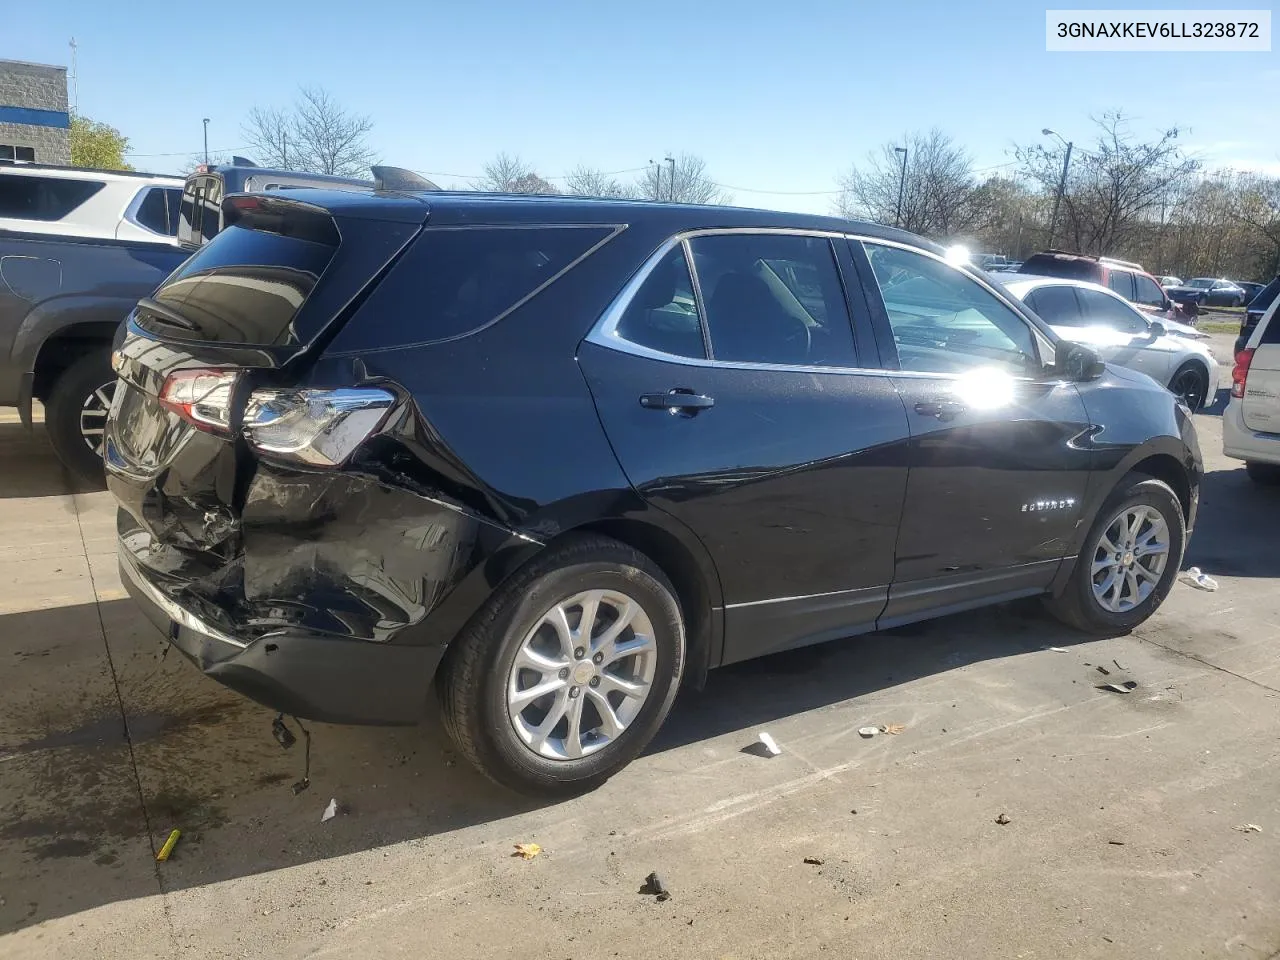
(605, 332)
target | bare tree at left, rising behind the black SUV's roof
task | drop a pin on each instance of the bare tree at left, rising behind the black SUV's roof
(314, 135)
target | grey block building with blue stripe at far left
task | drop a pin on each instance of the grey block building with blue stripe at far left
(35, 125)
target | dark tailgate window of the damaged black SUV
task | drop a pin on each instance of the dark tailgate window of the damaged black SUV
(245, 286)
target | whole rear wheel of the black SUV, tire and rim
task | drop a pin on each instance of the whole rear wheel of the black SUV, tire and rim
(568, 671)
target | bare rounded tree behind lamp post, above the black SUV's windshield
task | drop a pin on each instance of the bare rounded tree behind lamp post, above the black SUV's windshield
(938, 186)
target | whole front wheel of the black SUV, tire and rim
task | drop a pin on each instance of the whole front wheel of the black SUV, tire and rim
(1130, 561)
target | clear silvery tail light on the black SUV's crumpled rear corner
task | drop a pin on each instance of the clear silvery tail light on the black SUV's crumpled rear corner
(314, 427)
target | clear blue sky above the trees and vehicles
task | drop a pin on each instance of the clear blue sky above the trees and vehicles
(779, 97)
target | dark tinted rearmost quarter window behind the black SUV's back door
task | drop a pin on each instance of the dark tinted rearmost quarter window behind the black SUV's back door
(454, 282)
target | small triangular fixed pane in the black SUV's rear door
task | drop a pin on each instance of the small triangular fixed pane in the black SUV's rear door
(664, 313)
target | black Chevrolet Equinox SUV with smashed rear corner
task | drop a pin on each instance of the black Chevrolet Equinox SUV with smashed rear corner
(556, 458)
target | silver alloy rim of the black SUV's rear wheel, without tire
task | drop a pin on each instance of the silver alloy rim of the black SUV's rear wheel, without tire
(582, 675)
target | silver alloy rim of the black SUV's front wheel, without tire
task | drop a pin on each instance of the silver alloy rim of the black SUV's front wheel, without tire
(1130, 559)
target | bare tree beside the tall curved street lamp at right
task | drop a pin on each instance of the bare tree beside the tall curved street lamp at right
(1116, 186)
